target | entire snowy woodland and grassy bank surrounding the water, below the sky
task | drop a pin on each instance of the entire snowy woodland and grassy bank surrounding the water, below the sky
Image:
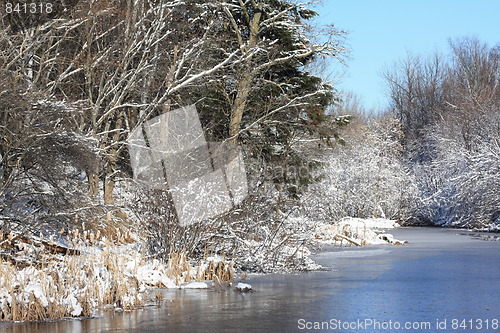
(79, 83)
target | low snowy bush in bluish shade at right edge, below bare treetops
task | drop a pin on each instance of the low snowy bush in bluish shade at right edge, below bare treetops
(460, 186)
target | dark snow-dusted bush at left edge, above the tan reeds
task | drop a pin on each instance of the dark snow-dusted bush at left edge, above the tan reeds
(43, 162)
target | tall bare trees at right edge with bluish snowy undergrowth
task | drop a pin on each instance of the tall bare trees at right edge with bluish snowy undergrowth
(450, 112)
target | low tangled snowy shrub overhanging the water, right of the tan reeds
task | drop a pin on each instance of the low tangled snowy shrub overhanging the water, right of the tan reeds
(258, 236)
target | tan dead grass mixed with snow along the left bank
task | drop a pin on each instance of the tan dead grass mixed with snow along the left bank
(99, 268)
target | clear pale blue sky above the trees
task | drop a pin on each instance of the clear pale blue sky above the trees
(381, 32)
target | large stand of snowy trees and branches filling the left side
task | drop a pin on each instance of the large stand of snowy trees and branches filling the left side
(75, 83)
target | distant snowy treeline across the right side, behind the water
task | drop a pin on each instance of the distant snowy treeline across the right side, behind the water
(434, 156)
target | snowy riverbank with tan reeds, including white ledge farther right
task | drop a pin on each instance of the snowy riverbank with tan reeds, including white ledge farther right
(99, 273)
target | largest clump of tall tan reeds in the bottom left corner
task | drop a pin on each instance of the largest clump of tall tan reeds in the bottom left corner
(92, 280)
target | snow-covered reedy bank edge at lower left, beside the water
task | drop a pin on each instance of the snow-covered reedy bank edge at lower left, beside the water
(110, 275)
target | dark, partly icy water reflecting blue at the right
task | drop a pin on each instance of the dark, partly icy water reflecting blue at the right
(432, 284)
